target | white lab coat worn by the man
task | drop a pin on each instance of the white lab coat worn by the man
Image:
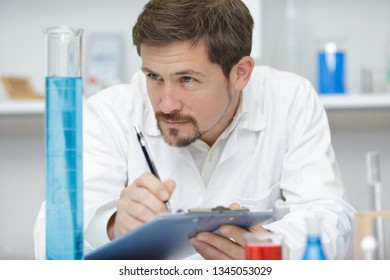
(279, 156)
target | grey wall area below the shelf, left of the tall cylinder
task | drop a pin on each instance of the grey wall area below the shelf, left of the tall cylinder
(22, 183)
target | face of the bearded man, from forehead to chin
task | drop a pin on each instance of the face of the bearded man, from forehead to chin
(191, 97)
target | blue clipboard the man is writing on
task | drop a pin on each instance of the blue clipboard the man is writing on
(166, 237)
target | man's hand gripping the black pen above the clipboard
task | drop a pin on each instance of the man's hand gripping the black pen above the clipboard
(139, 203)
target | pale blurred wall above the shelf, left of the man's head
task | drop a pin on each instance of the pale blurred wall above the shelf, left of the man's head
(21, 24)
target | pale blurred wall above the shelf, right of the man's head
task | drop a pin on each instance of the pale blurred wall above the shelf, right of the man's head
(362, 28)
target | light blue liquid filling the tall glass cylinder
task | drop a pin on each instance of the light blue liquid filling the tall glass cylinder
(64, 189)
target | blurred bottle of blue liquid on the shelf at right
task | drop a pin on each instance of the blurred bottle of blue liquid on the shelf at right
(331, 70)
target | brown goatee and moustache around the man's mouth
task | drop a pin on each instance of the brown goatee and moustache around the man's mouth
(172, 136)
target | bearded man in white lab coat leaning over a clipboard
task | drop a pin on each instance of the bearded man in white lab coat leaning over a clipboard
(221, 132)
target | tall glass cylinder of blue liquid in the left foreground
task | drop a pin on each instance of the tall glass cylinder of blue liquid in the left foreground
(63, 135)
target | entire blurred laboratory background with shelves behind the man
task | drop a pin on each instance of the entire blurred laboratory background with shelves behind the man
(289, 35)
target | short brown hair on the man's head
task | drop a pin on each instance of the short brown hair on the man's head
(224, 26)
